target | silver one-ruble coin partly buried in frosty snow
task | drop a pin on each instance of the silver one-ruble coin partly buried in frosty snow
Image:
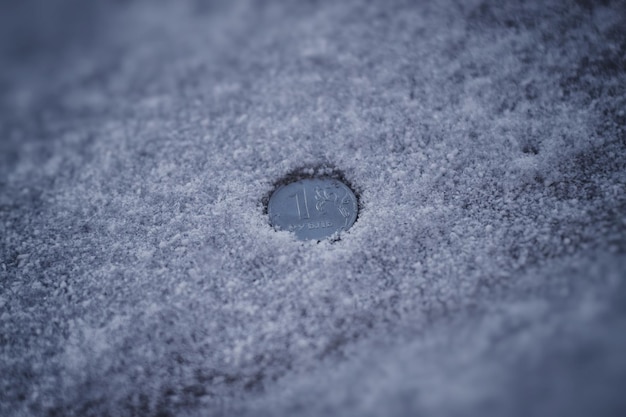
(313, 208)
